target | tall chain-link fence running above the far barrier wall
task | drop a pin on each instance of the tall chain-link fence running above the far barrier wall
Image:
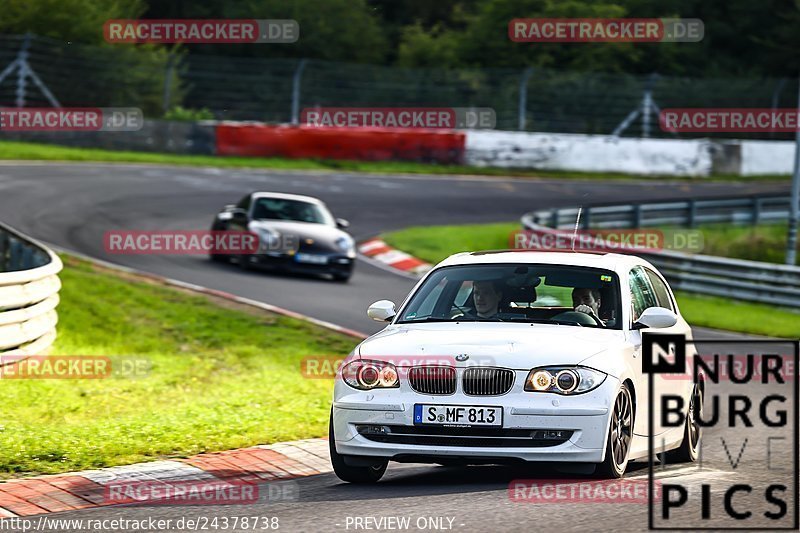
(274, 90)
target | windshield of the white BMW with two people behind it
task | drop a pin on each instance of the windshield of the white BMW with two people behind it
(552, 294)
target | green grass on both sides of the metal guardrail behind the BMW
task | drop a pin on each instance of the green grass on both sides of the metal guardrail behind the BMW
(434, 243)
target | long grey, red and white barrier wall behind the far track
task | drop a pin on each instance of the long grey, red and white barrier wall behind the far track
(504, 149)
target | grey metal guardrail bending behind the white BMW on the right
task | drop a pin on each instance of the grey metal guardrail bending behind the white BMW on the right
(752, 281)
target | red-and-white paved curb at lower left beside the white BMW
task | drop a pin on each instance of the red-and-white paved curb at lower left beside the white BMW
(206, 472)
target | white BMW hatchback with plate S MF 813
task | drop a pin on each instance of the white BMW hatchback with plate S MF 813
(498, 357)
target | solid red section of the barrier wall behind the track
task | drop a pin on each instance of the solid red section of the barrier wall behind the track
(363, 144)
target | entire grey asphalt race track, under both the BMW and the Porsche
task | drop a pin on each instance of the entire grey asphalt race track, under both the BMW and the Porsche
(73, 205)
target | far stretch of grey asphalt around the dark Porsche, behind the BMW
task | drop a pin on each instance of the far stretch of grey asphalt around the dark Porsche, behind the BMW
(72, 205)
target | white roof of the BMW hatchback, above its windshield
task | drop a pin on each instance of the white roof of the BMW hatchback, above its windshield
(620, 263)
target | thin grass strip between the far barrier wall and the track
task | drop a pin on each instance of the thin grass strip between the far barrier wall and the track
(46, 152)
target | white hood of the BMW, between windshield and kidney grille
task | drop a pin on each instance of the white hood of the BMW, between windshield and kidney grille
(515, 346)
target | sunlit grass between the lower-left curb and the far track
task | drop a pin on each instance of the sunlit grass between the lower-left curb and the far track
(221, 378)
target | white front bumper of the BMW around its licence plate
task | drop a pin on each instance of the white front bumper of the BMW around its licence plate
(536, 426)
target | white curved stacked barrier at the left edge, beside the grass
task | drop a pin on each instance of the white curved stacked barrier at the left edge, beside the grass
(29, 288)
